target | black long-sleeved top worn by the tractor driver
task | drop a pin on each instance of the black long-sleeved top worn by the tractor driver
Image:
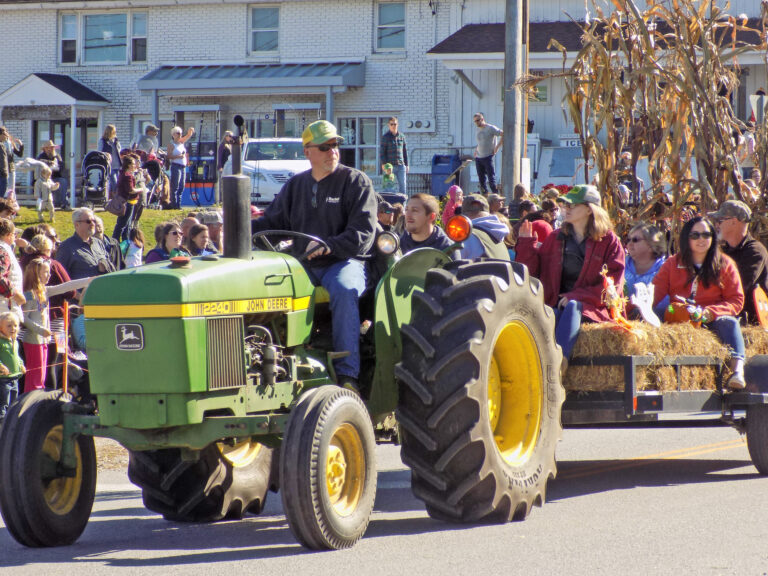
(343, 213)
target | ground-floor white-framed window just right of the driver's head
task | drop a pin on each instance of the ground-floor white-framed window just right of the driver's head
(362, 136)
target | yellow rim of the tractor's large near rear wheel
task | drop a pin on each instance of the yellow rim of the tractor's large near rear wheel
(515, 393)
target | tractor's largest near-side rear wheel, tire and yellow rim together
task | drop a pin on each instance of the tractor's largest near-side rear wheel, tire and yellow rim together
(480, 393)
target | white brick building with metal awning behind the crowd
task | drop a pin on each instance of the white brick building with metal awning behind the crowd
(281, 65)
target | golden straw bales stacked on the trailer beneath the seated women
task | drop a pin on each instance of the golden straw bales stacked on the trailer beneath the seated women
(669, 340)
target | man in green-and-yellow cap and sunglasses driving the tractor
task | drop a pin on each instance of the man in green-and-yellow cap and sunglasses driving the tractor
(337, 204)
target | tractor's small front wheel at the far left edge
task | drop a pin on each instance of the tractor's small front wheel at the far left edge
(42, 506)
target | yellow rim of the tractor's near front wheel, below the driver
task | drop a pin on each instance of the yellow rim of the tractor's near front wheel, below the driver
(345, 470)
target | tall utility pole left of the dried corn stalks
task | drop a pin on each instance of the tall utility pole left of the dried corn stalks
(514, 52)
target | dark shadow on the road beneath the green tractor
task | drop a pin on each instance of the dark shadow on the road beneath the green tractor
(131, 536)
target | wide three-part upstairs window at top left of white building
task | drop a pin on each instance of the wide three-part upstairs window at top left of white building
(103, 38)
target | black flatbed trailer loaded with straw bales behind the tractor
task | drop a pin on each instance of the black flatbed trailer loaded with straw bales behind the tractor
(665, 374)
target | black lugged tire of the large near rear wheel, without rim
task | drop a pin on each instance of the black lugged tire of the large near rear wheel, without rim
(447, 450)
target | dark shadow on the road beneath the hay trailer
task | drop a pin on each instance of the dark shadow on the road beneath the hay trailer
(582, 477)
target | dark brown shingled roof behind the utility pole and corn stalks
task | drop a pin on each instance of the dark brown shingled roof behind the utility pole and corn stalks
(489, 38)
